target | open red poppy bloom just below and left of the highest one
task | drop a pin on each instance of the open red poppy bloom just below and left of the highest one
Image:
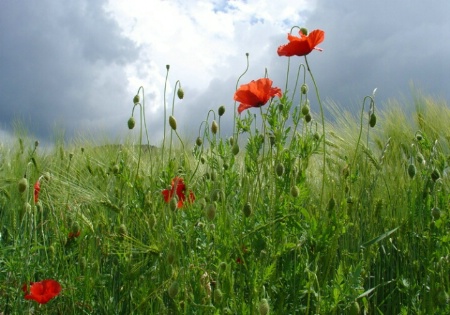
(255, 94)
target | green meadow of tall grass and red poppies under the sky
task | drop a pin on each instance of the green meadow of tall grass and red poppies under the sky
(294, 213)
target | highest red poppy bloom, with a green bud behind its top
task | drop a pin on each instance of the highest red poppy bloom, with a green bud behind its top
(303, 45)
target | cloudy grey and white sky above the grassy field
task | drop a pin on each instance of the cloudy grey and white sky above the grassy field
(75, 65)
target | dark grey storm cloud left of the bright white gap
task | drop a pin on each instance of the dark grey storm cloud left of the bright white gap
(61, 62)
